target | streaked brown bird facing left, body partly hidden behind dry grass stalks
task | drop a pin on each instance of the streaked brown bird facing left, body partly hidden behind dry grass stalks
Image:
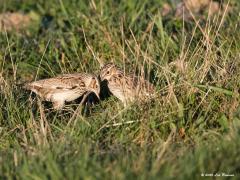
(126, 87)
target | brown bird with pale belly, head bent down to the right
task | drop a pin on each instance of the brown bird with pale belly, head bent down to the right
(65, 88)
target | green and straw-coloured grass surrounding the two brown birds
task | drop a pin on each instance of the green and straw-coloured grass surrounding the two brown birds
(192, 128)
